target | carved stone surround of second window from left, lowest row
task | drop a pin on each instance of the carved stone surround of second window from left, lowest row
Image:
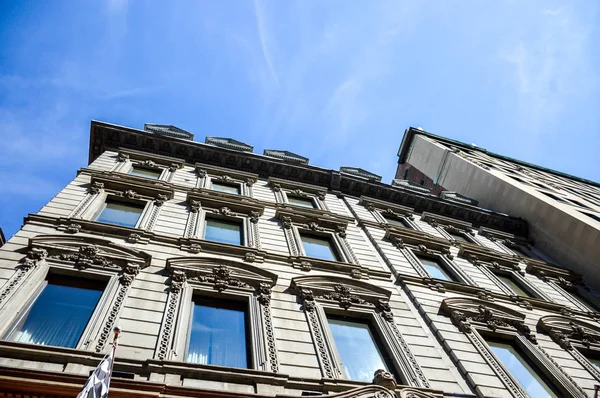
(217, 278)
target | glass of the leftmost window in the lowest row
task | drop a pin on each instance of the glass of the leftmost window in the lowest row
(59, 313)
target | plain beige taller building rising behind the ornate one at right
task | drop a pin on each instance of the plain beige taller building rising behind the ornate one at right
(563, 211)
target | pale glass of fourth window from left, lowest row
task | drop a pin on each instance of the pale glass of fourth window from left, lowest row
(528, 377)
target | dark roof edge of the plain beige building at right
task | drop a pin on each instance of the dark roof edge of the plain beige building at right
(410, 133)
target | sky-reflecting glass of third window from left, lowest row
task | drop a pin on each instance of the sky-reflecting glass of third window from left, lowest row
(357, 348)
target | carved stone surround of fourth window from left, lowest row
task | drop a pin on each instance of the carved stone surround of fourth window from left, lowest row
(476, 319)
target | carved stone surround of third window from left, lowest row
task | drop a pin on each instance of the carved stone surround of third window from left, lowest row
(322, 295)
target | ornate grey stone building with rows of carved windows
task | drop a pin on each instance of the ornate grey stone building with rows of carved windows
(335, 274)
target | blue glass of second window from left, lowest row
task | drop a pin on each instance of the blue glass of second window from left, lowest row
(218, 336)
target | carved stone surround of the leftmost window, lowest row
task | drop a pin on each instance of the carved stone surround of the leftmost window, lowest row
(85, 258)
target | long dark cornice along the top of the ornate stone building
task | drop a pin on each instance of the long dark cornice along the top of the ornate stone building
(105, 136)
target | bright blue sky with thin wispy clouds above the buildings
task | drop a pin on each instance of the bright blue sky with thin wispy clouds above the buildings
(336, 81)
